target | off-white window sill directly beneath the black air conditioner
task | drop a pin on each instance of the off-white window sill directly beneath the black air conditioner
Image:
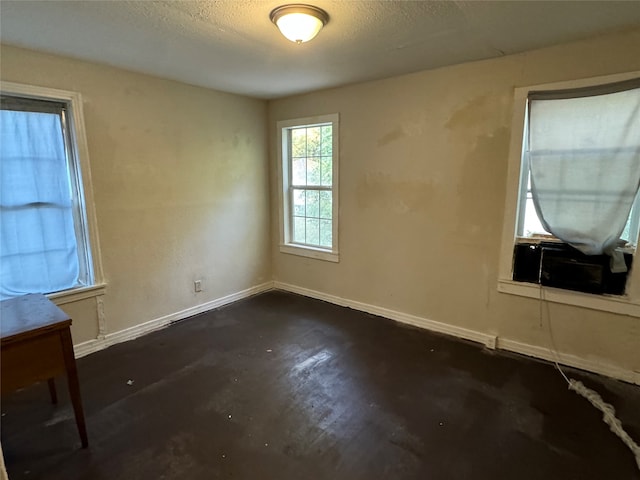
(606, 303)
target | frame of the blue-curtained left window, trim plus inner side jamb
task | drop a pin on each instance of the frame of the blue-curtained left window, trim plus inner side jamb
(84, 216)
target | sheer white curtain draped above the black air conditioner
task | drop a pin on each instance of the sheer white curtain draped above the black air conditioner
(584, 160)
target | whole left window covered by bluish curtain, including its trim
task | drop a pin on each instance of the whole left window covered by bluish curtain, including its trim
(45, 244)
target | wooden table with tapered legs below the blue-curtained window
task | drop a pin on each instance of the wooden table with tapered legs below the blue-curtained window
(36, 345)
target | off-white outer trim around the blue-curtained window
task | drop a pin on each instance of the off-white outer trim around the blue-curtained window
(74, 100)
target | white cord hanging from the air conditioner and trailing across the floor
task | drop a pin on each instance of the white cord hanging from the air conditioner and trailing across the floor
(608, 412)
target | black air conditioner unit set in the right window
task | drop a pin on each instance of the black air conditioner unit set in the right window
(562, 266)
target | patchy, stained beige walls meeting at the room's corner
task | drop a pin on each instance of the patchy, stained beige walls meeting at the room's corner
(180, 180)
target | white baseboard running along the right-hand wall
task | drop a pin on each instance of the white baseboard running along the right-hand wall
(489, 340)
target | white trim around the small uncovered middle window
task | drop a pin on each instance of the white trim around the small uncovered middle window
(284, 179)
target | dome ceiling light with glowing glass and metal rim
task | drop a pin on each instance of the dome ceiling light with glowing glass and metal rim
(299, 23)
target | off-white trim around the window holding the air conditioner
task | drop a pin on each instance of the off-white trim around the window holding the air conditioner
(628, 304)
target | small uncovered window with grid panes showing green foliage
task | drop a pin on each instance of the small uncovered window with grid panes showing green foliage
(309, 180)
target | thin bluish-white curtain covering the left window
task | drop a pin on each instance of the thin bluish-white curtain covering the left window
(38, 251)
